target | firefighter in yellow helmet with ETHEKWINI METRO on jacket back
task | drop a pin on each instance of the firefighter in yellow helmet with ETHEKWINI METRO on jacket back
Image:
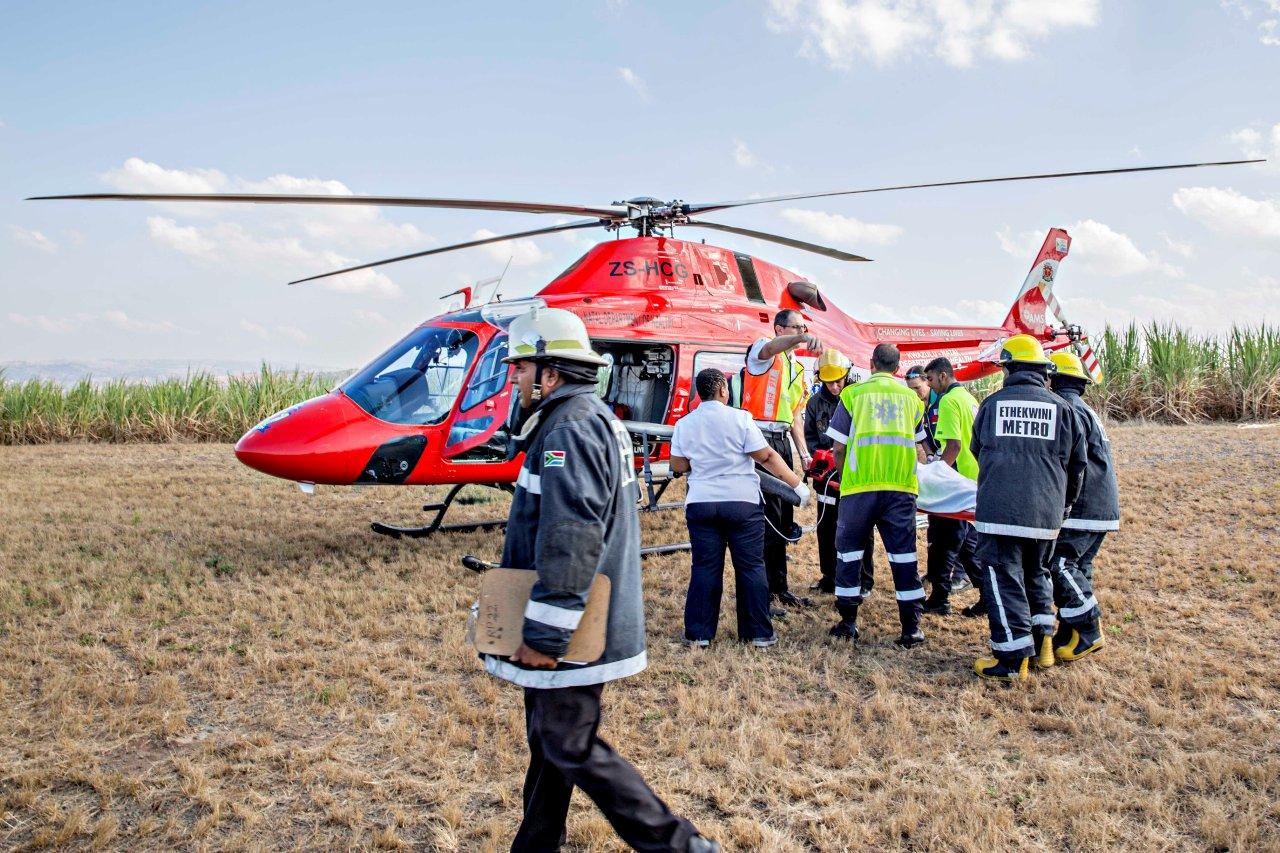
(1032, 460)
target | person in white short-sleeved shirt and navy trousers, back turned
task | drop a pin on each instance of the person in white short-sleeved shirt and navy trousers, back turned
(717, 448)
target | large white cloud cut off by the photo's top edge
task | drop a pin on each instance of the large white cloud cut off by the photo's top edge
(961, 33)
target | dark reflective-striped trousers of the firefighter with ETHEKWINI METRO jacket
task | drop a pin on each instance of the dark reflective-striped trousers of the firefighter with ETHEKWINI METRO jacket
(1018, 591)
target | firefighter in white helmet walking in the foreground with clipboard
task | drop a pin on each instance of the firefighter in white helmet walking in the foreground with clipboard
(574, 514)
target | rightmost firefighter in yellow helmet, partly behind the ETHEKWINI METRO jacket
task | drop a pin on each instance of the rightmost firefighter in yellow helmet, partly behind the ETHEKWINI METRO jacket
(1094, 516)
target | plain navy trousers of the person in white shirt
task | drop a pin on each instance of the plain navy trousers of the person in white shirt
(739, 527)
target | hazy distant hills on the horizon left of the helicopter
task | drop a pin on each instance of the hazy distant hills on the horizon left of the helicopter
(104, 371)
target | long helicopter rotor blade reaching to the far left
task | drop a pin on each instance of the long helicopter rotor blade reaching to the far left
(378, 202)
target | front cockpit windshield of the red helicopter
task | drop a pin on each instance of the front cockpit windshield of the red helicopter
(418, 380)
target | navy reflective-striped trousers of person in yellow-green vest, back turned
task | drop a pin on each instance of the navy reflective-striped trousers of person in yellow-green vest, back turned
(894, 514)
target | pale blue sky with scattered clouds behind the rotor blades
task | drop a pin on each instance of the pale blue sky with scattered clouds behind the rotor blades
(593, 102)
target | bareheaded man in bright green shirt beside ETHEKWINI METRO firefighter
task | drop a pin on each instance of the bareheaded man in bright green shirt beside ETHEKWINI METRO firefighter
(953, 542)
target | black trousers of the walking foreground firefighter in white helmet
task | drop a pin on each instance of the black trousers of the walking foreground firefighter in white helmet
(565, 754)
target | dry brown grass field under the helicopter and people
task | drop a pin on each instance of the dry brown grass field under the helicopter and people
(194, 655)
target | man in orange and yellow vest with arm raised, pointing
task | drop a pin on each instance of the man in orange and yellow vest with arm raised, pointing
(775, 391)
